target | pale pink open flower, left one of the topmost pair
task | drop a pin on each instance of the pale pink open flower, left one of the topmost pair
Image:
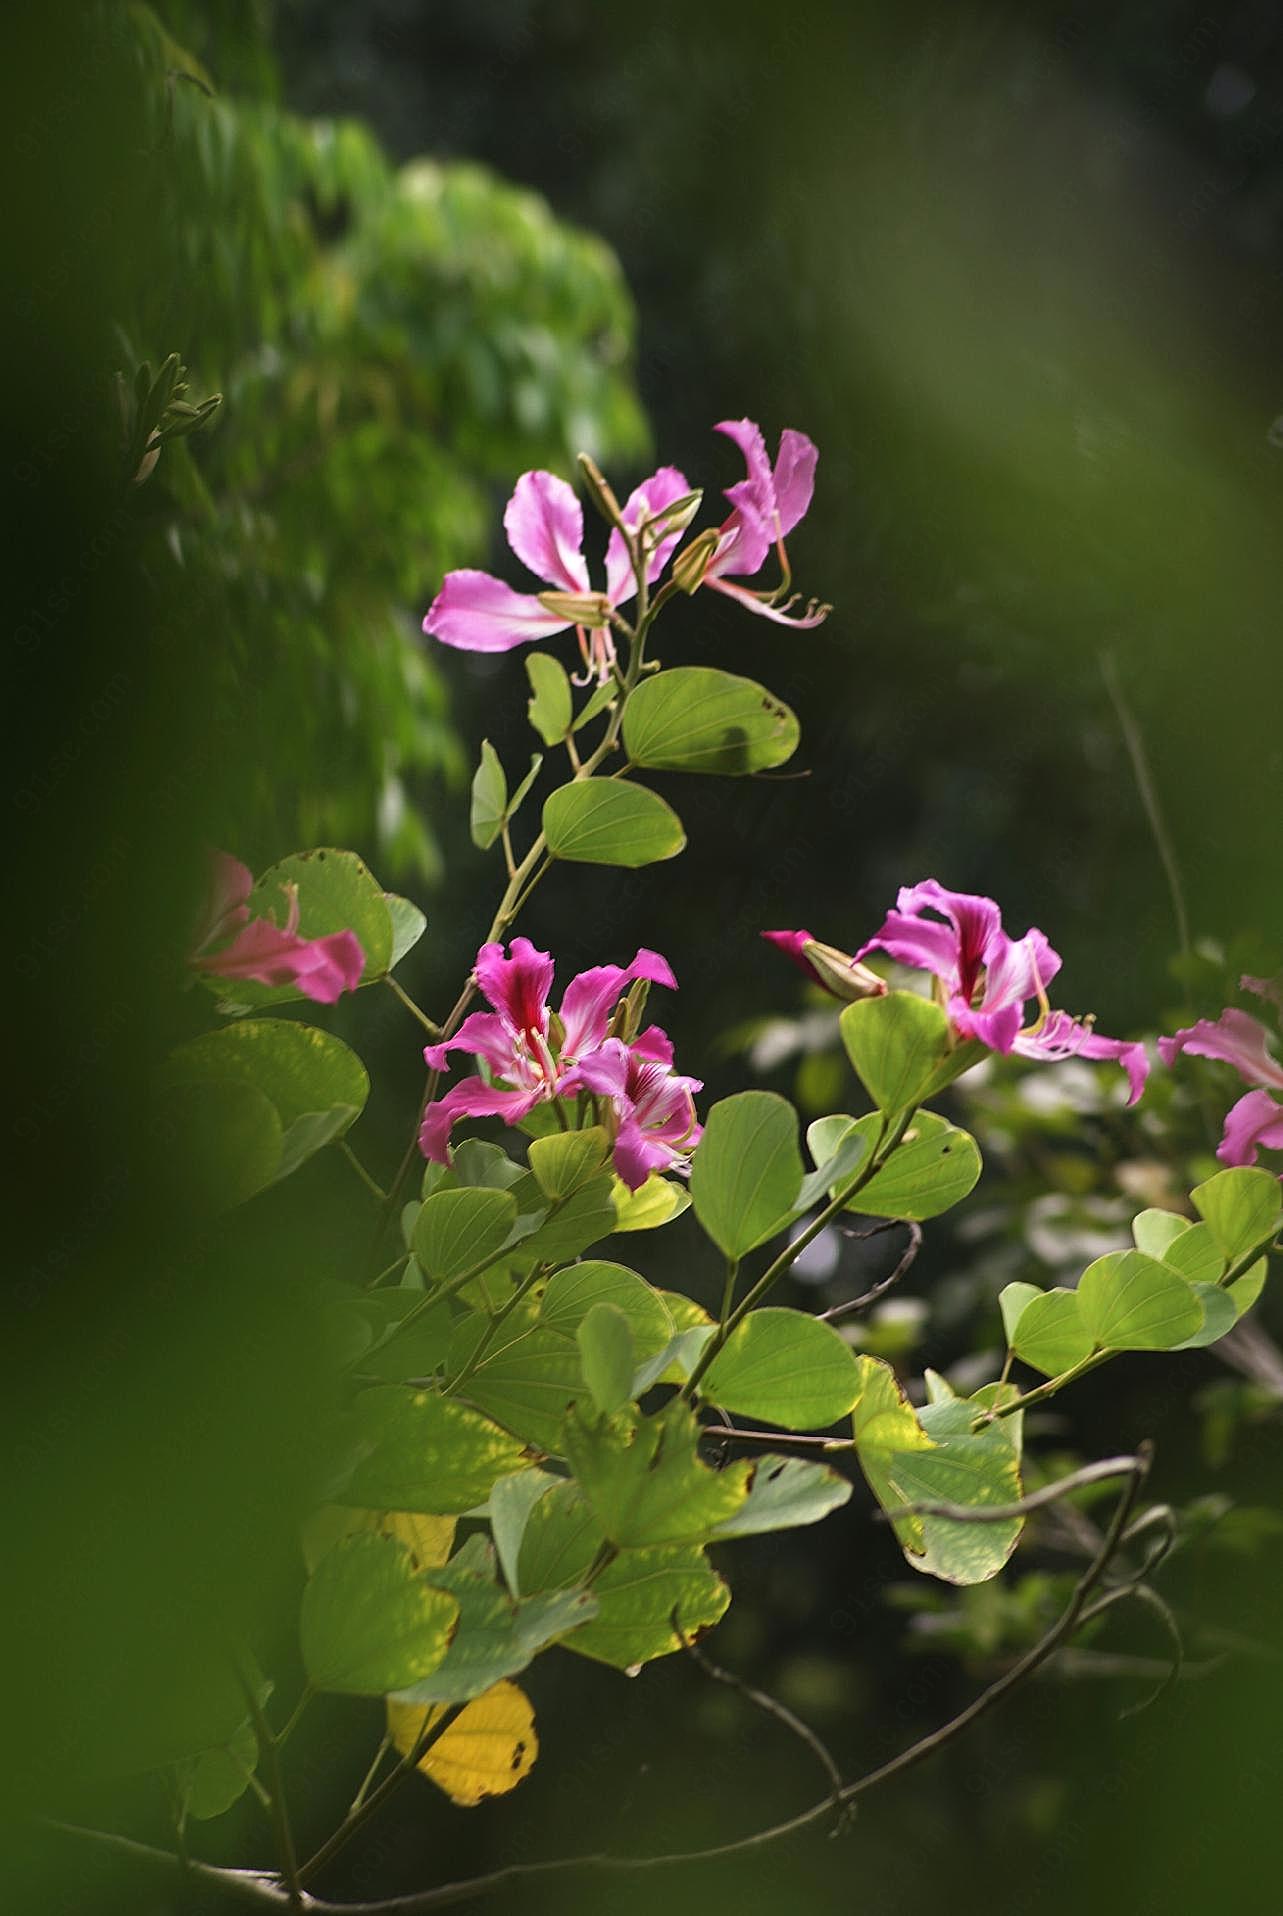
(545, 526)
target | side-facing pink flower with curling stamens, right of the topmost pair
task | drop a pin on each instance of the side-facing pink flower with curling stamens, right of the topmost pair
(767, 507)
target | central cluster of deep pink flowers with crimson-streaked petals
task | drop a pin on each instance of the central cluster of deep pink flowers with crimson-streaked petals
(537, 1057)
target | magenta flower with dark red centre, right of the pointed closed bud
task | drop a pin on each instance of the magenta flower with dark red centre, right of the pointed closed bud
(989, 980)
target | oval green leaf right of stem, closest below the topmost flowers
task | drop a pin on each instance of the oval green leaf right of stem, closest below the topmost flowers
(696, 719)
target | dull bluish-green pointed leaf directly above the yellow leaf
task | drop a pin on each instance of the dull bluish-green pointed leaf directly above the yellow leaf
(497, 1635)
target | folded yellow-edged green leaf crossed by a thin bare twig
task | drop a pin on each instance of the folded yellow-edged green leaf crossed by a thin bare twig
(947, 1465)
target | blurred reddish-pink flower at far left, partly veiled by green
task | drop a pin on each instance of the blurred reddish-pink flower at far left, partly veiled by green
(271, 955)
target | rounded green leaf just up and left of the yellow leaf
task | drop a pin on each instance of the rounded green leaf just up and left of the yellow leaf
(371, 1624)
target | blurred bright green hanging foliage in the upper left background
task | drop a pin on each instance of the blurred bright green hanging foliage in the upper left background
(392, 346)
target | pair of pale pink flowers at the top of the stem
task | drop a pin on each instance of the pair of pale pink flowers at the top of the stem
(545, 528)
